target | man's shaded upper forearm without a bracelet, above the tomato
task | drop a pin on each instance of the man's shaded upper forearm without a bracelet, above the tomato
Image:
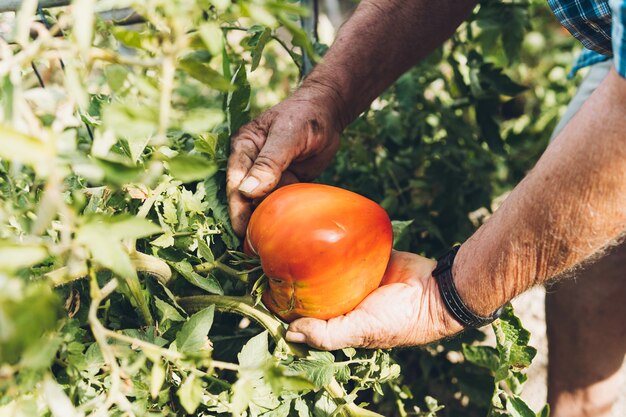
(379, 42)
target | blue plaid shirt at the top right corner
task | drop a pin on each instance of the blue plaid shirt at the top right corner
(599, 25)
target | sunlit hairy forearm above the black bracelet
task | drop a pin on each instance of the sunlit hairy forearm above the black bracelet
(568, 207)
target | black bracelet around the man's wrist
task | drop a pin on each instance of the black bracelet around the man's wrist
(451, 298)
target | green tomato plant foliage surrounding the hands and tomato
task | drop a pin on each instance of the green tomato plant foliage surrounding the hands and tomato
(117, 258)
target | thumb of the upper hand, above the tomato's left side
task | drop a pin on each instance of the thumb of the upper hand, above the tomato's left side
(266, 171)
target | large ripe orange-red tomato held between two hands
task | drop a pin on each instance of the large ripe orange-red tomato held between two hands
(323, 249)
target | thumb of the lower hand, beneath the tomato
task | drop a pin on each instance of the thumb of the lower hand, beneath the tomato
(336, 333)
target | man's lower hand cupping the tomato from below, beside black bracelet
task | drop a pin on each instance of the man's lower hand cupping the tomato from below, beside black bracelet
(406, 310)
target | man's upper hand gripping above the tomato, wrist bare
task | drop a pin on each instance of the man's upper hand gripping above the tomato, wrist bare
(293, 141)
